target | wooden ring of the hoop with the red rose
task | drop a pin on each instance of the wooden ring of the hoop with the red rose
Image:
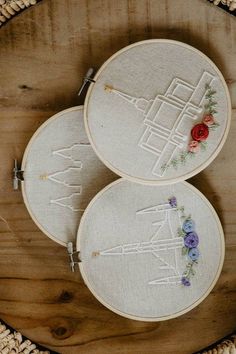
(177, 179)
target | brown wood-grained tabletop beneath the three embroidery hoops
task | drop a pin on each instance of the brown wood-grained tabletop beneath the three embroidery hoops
(44, 53)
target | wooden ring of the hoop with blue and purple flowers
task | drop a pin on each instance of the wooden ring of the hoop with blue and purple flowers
(163, 318)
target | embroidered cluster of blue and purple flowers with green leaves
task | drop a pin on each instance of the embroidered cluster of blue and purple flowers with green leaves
(190, 241)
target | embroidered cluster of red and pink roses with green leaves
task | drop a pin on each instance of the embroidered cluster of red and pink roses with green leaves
(199, 132)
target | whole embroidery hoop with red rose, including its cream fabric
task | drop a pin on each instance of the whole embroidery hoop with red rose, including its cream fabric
(143, 104)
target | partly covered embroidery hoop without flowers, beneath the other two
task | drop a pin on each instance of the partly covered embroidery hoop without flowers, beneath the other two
(61, 174)
